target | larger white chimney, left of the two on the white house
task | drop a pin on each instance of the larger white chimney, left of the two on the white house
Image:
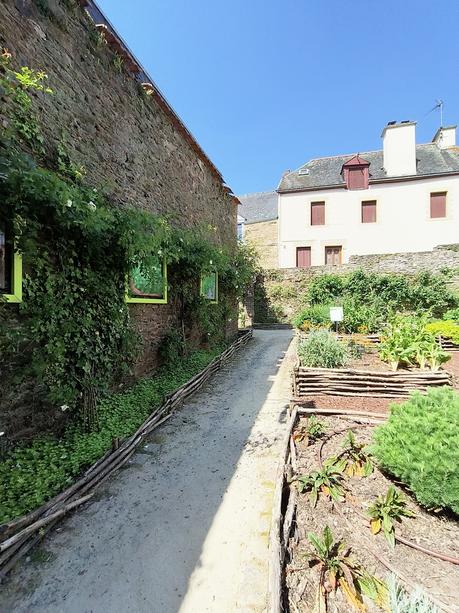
(399, 148)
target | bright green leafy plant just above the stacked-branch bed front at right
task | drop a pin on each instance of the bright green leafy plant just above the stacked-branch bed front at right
(406, 341)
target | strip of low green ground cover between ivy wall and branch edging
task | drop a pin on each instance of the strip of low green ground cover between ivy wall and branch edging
(33, 473)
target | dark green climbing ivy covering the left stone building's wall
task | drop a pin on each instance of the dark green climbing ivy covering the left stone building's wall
(73, 331)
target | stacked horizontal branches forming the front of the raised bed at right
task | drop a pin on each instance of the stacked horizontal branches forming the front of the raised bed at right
(370, 383)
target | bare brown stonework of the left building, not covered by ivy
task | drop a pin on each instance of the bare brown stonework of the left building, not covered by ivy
(126, 141)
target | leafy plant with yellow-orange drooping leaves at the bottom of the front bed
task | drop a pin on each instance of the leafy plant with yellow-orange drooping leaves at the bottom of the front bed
(339, 570)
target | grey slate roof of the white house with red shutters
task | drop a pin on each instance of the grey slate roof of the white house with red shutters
(326, 172)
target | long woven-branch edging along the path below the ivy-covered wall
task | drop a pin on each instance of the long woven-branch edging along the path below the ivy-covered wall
(20, 535)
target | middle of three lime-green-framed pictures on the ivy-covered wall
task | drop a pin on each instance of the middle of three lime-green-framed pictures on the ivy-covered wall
(147, 282)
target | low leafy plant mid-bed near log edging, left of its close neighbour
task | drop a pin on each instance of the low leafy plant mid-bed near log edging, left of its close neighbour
(327, 481)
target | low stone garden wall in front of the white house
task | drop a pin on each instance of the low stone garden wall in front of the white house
(279, 294)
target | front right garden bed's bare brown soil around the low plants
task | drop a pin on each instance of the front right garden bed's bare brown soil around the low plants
(294, 584)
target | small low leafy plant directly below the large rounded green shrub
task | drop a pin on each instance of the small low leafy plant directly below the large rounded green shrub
(386, 509)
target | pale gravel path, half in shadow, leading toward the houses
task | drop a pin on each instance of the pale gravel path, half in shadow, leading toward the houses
(184, 527)
